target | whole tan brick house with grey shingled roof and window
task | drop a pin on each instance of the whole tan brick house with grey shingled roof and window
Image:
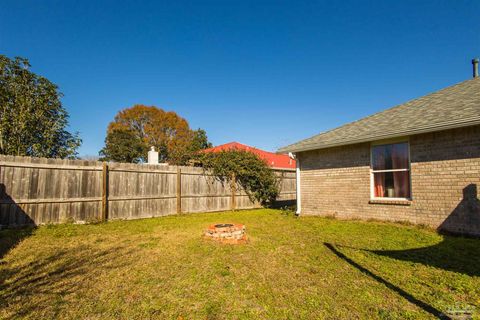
(417, 162)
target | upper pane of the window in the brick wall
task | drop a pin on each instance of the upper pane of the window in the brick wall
(390, 156)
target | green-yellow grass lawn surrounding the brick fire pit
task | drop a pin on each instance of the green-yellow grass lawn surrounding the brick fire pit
(291, 268)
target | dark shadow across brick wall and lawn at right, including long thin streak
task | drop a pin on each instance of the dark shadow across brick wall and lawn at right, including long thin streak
(454, 253)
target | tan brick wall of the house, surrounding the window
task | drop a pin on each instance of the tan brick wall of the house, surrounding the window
(445, 173)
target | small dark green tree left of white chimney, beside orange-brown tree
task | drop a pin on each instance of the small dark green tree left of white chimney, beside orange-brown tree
(122, 145)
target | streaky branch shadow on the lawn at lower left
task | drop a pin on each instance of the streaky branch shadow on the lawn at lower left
(42, 283)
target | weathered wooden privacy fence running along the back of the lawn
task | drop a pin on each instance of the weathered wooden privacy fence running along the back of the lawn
(40, 190)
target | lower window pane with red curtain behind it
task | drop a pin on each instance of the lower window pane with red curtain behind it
(392, 184)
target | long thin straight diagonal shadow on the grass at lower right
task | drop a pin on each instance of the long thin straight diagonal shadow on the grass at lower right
(426, 307)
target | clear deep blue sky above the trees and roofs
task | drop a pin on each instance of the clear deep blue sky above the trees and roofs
(264, 73)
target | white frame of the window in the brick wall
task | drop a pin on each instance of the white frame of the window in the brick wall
(409, 169)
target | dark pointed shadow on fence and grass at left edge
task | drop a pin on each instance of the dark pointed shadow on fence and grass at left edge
(18, 223)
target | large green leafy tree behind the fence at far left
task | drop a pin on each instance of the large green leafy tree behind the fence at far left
(33, 121)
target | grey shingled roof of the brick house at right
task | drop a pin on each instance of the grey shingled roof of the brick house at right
(453, 107)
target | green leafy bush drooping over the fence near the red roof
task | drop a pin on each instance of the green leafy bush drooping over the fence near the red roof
(252, 173)
